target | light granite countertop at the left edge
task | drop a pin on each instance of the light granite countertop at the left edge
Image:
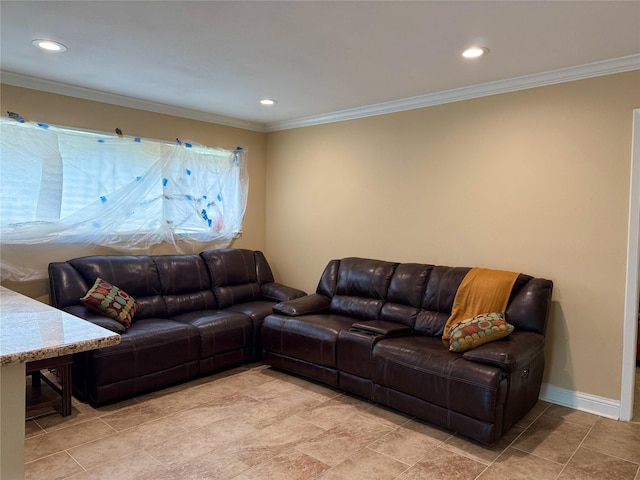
(31, 330)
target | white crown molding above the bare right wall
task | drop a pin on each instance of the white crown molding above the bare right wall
(606, 67)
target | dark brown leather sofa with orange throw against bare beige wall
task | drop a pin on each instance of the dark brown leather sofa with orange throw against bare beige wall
(374, 328)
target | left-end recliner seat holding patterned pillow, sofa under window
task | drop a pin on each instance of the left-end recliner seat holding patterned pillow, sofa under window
(154, 352)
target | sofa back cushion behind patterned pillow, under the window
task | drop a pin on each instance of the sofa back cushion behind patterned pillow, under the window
(135, 274)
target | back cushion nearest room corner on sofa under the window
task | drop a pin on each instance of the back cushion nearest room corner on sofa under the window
(236, 275)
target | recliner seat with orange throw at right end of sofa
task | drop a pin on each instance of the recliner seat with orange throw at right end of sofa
(479, 393)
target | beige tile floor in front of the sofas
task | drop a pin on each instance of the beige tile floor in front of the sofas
(257, 423)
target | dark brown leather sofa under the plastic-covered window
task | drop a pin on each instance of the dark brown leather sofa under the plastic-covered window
(196, 314)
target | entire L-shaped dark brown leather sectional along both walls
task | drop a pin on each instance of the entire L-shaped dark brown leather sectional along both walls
(373, 328)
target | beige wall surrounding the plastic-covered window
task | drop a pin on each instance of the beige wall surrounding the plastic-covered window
(68, 111)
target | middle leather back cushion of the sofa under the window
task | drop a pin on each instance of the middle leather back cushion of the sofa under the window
(185, 283)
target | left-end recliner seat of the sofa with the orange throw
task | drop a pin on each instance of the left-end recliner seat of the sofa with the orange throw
(349, 290)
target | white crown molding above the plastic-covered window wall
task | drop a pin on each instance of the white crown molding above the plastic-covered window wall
(25, 81)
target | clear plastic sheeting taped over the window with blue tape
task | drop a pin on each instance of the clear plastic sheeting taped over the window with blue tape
(60, 186)
